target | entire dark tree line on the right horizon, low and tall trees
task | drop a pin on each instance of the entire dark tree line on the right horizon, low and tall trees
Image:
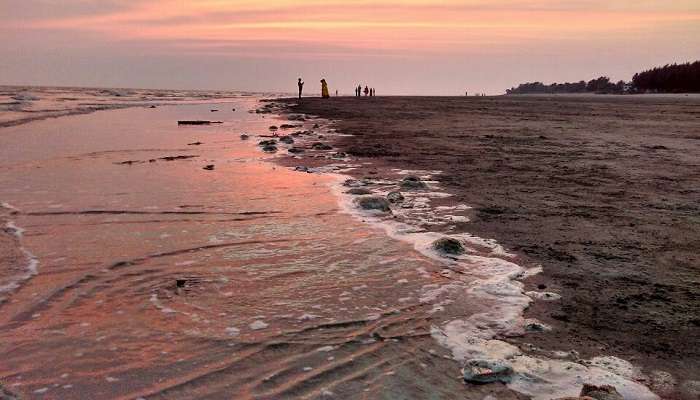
(673, 78)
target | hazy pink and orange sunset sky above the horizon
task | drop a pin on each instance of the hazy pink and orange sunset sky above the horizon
(432, 47)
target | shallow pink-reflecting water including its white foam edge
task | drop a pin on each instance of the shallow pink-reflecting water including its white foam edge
(157, 278)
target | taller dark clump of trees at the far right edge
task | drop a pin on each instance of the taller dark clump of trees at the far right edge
(671, 78)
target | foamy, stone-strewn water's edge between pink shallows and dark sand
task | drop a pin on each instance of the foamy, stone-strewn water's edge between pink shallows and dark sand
(480, 305)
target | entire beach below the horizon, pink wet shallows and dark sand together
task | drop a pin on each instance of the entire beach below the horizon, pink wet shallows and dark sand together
(348, 248)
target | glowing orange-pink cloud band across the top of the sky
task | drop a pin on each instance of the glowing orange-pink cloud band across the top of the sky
(434, 25)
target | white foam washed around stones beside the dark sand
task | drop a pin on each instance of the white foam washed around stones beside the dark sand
(487, 276)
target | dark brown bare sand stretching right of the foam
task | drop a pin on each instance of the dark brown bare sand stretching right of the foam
(603, 192)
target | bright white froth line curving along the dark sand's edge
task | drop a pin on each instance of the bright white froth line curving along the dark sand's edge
(494, 282)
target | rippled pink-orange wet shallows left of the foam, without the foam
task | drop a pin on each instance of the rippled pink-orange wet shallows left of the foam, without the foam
(227, 265)
